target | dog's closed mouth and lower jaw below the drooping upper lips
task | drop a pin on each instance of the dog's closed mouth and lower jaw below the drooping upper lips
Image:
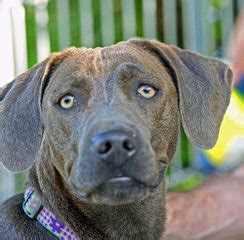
(120, 190)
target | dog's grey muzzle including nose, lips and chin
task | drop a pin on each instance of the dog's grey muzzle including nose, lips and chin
(120, 167)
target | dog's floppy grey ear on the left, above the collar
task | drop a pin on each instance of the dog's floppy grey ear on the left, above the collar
(20, 119)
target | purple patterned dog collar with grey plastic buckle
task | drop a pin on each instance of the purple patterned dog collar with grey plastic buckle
(34, 209)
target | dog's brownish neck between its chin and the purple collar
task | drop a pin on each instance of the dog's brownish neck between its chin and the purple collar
(140, 220)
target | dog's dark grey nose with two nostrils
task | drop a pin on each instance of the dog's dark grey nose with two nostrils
(114, 146)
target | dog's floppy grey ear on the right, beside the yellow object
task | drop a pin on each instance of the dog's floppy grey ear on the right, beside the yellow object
(204, 88)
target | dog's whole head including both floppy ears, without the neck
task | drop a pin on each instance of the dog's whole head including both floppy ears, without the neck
(110, 116)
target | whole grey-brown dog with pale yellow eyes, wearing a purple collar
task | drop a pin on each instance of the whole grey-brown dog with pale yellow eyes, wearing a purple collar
(98, 128)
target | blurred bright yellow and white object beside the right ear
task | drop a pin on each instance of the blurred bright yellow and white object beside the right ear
(229, 148)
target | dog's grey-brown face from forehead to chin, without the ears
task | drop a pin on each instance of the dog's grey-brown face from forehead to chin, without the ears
(112, 116)
